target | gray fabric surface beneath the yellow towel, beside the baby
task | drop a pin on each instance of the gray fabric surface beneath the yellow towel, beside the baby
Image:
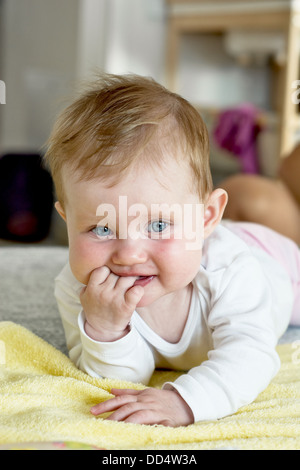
(26, 291)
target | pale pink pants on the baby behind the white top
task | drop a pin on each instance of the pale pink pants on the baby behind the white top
(282, 249)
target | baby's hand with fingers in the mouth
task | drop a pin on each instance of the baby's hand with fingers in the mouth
(108, 302)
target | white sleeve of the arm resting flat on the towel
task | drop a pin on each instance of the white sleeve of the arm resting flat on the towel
(243, 359)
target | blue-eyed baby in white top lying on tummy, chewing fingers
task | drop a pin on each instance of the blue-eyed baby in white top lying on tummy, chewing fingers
(154, 279)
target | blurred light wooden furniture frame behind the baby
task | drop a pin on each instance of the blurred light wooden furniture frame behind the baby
(222, 16)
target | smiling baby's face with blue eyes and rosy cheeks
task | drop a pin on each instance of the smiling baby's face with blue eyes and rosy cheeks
(149, 225)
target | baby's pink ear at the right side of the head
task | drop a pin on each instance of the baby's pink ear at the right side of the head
(213, 211)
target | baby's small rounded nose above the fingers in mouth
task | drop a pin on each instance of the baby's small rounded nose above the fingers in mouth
(129, 252)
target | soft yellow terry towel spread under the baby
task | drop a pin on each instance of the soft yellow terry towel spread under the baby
(44, 397)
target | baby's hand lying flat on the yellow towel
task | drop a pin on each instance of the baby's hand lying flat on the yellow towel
(149, 406)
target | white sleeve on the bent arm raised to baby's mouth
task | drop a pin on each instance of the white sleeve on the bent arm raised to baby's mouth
(129, 358)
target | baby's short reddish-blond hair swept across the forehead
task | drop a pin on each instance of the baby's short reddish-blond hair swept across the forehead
(103, 132)
